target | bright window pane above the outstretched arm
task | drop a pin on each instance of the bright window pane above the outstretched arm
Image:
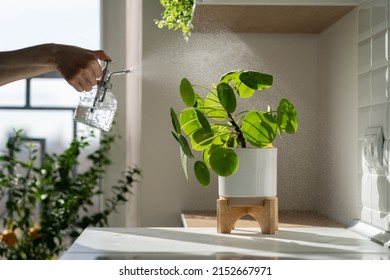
(24, 23)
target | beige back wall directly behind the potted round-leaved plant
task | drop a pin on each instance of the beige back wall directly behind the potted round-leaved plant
(291, 58)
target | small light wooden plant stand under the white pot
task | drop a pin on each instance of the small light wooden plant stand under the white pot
(263, 210)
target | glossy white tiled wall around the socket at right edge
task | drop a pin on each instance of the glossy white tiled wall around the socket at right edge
(373, 111)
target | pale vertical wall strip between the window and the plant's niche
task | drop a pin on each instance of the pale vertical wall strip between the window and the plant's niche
(122, 21)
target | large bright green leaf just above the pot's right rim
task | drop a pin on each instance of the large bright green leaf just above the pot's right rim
(259, 128)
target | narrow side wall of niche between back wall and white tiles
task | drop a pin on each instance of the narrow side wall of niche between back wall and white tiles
(337, 119)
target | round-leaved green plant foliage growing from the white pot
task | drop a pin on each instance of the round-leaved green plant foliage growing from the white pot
(212, 127)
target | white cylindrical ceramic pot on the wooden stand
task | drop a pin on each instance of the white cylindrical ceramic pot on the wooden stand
(256, 175)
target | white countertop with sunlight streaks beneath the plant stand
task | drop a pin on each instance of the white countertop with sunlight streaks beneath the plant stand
(205, 243)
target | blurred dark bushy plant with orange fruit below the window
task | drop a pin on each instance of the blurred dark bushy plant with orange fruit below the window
(48, 204)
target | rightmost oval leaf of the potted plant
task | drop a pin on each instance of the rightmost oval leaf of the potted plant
(287, 116)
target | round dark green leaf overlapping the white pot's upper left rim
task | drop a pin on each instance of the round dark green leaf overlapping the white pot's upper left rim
(224, 161)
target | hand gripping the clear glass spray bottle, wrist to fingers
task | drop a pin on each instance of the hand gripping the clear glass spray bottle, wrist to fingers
(79, 67)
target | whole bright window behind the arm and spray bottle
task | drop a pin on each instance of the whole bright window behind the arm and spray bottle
(43, 107)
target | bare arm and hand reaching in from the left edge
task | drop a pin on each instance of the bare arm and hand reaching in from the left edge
(78, 66)
